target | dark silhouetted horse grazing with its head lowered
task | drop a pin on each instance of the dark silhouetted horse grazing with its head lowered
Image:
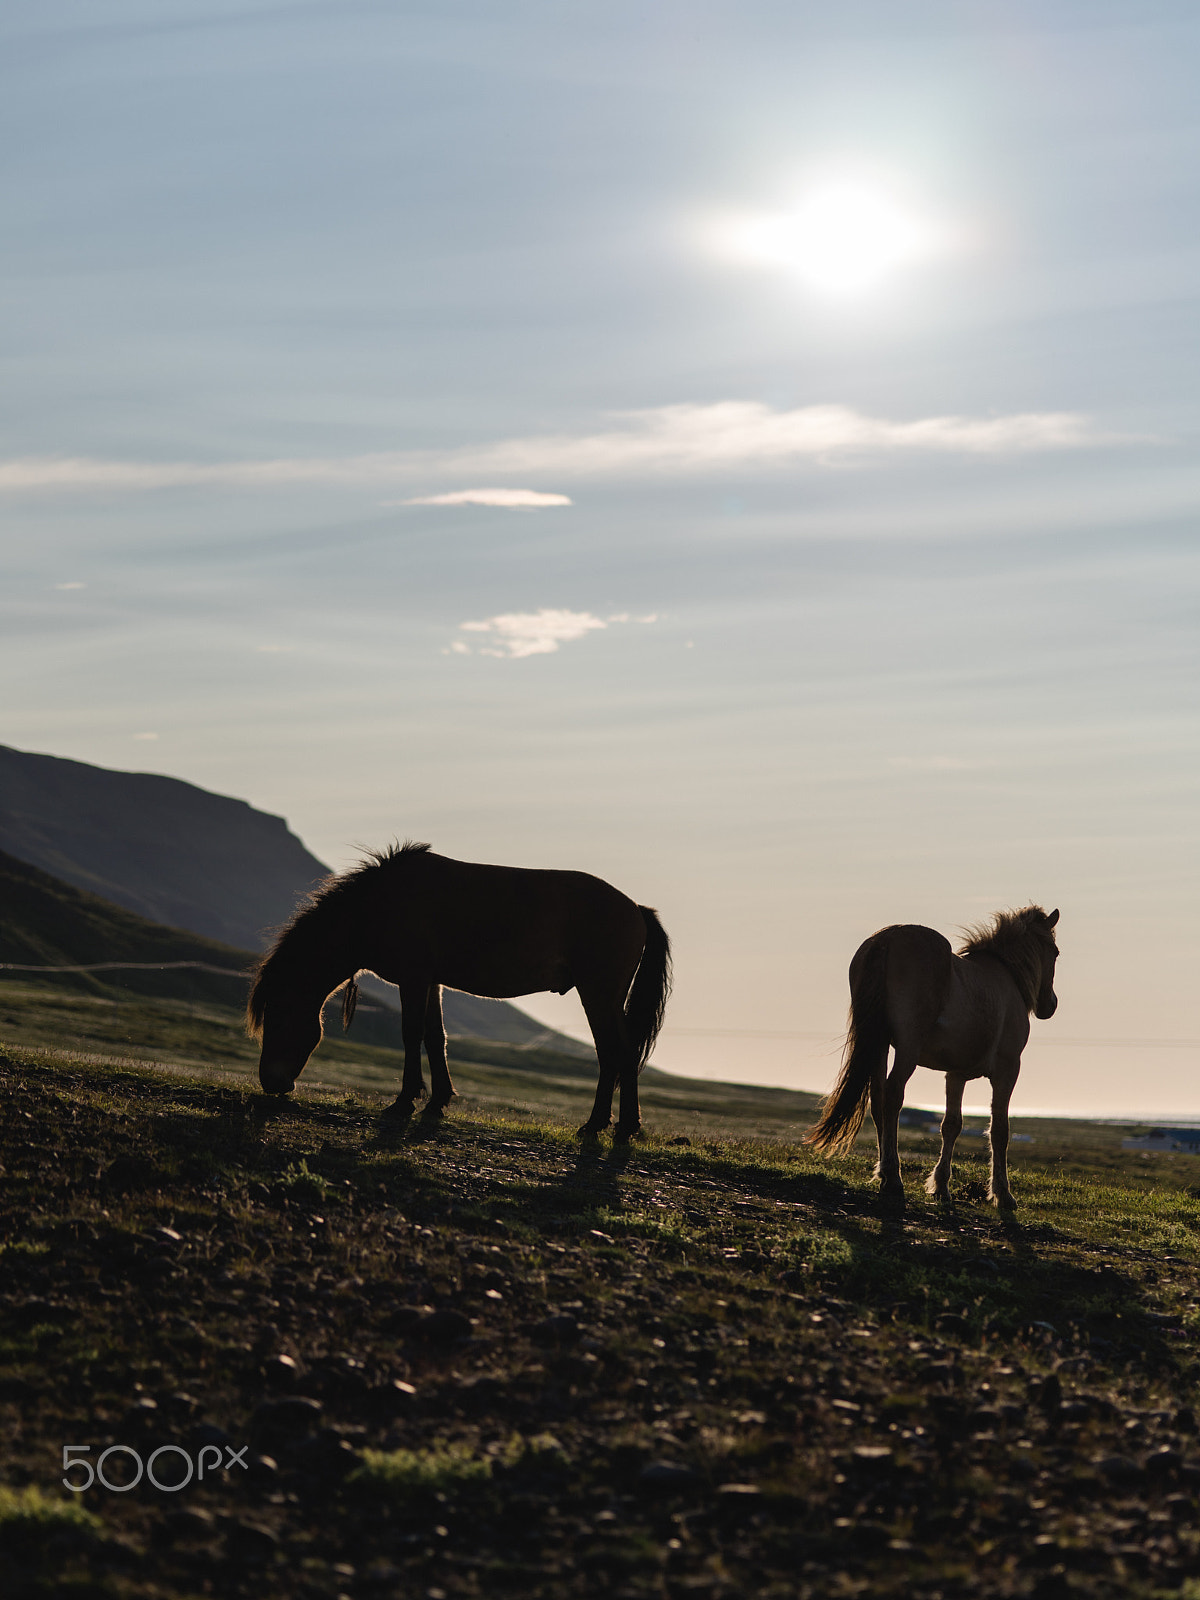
(422, 921)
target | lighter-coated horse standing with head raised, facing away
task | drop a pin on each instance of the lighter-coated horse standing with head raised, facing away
(964, 1015)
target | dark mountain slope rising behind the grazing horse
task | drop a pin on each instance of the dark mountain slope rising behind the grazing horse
(183, 858)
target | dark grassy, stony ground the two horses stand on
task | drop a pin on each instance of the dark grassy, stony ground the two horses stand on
(476, 1358)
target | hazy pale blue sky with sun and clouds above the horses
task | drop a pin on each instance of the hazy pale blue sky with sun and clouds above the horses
(742, 450)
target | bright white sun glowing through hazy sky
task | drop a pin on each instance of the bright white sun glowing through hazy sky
(841, 239)
